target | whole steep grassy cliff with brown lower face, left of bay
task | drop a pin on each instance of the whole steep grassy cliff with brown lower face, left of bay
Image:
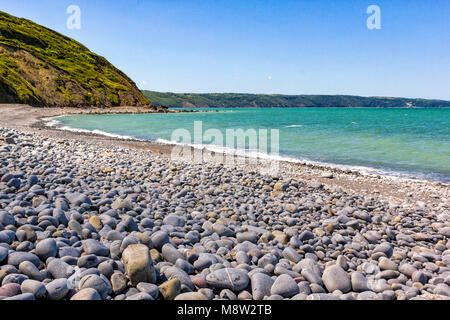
(41, 67)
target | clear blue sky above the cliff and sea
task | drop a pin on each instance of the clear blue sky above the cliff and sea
(264, 46)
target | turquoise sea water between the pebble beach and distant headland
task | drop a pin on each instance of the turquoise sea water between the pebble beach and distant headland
(413, 142)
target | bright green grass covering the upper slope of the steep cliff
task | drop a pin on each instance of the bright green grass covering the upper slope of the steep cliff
(74, 60)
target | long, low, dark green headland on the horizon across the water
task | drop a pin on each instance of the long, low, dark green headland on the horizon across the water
(234, 100)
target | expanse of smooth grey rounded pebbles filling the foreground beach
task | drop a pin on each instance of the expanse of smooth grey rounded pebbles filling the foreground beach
(81, 219)
